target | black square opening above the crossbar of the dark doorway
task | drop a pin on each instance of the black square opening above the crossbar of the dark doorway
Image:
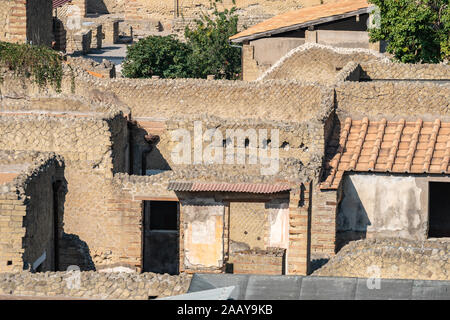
(163, 215)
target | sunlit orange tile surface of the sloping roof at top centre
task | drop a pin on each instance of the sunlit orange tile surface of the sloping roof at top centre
(303, 16)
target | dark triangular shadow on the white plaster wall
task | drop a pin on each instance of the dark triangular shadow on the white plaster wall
(352, 219)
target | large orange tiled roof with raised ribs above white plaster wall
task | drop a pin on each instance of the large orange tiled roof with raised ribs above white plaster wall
(390, 146)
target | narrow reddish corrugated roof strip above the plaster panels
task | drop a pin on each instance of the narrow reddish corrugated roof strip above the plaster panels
(228, 187)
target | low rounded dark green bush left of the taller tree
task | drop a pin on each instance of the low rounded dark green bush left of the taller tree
(157, 56)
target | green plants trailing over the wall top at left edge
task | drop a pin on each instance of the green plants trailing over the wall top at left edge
(39, 63)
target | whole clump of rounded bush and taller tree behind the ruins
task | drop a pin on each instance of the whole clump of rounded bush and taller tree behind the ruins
(207, 51)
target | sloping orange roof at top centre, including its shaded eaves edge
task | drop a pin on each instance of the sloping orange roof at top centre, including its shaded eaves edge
(304, 18)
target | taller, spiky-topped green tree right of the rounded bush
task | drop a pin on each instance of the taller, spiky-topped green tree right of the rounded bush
(212, 53)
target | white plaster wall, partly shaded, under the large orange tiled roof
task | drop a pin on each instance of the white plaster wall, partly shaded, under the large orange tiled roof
(384, 205)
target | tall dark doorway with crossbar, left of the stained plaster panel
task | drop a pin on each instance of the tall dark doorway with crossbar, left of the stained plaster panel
(161, 236)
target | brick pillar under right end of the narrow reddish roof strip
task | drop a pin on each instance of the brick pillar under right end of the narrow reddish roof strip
(299, 229)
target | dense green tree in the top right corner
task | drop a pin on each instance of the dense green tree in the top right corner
(415, 30)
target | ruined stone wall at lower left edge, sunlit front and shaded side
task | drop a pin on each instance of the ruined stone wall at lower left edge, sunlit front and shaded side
(27, 213)
